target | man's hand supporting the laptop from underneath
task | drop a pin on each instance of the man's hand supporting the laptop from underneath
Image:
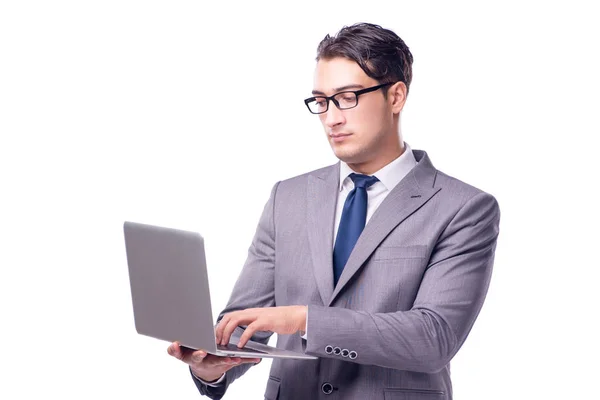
(207, 366)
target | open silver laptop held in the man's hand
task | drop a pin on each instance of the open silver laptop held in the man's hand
(171, 296)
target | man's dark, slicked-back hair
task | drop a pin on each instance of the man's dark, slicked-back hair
(378, 51)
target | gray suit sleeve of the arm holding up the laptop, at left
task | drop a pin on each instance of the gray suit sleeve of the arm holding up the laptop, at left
(254, 288)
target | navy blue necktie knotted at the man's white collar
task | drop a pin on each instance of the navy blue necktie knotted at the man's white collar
(352, 223)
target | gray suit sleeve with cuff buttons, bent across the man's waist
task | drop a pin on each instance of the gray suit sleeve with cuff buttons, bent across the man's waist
(451, 294)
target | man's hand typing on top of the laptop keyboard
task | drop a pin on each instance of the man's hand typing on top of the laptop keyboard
(283, 320)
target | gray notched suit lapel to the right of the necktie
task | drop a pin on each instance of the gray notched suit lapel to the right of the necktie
(407, 197)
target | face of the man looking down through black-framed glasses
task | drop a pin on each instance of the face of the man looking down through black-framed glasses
(358, 135)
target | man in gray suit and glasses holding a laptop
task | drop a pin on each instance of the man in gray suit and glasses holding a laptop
(378, 265)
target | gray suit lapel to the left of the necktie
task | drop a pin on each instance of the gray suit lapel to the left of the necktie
(322, 193)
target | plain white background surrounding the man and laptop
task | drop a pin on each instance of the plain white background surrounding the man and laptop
(184, 114)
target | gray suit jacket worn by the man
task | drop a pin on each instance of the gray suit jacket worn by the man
(405, 302)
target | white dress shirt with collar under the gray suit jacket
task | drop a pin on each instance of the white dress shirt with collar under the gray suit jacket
(389, 176)
